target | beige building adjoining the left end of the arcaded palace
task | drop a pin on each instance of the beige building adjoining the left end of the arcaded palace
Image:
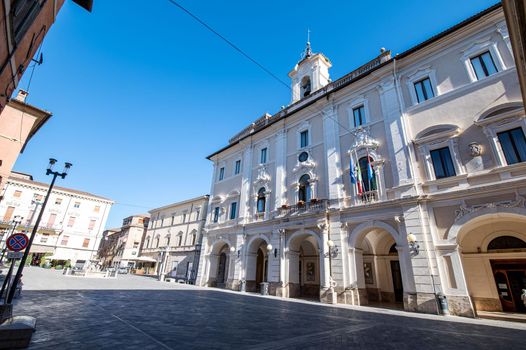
(173, 239)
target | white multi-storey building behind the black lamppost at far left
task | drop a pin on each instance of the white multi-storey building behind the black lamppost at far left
(72, 223)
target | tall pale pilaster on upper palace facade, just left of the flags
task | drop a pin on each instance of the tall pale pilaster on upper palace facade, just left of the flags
(331, 142)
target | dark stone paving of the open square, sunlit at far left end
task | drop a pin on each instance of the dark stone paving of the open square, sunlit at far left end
(133, 312)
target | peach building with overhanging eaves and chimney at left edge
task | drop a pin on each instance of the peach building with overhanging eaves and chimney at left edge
(19, 121)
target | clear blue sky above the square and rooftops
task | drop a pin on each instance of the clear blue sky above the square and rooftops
(140, 94)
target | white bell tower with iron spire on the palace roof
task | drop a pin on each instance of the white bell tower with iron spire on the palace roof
(309, 74)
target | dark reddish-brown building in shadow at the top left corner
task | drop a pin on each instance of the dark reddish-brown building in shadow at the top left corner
(24, 25)
